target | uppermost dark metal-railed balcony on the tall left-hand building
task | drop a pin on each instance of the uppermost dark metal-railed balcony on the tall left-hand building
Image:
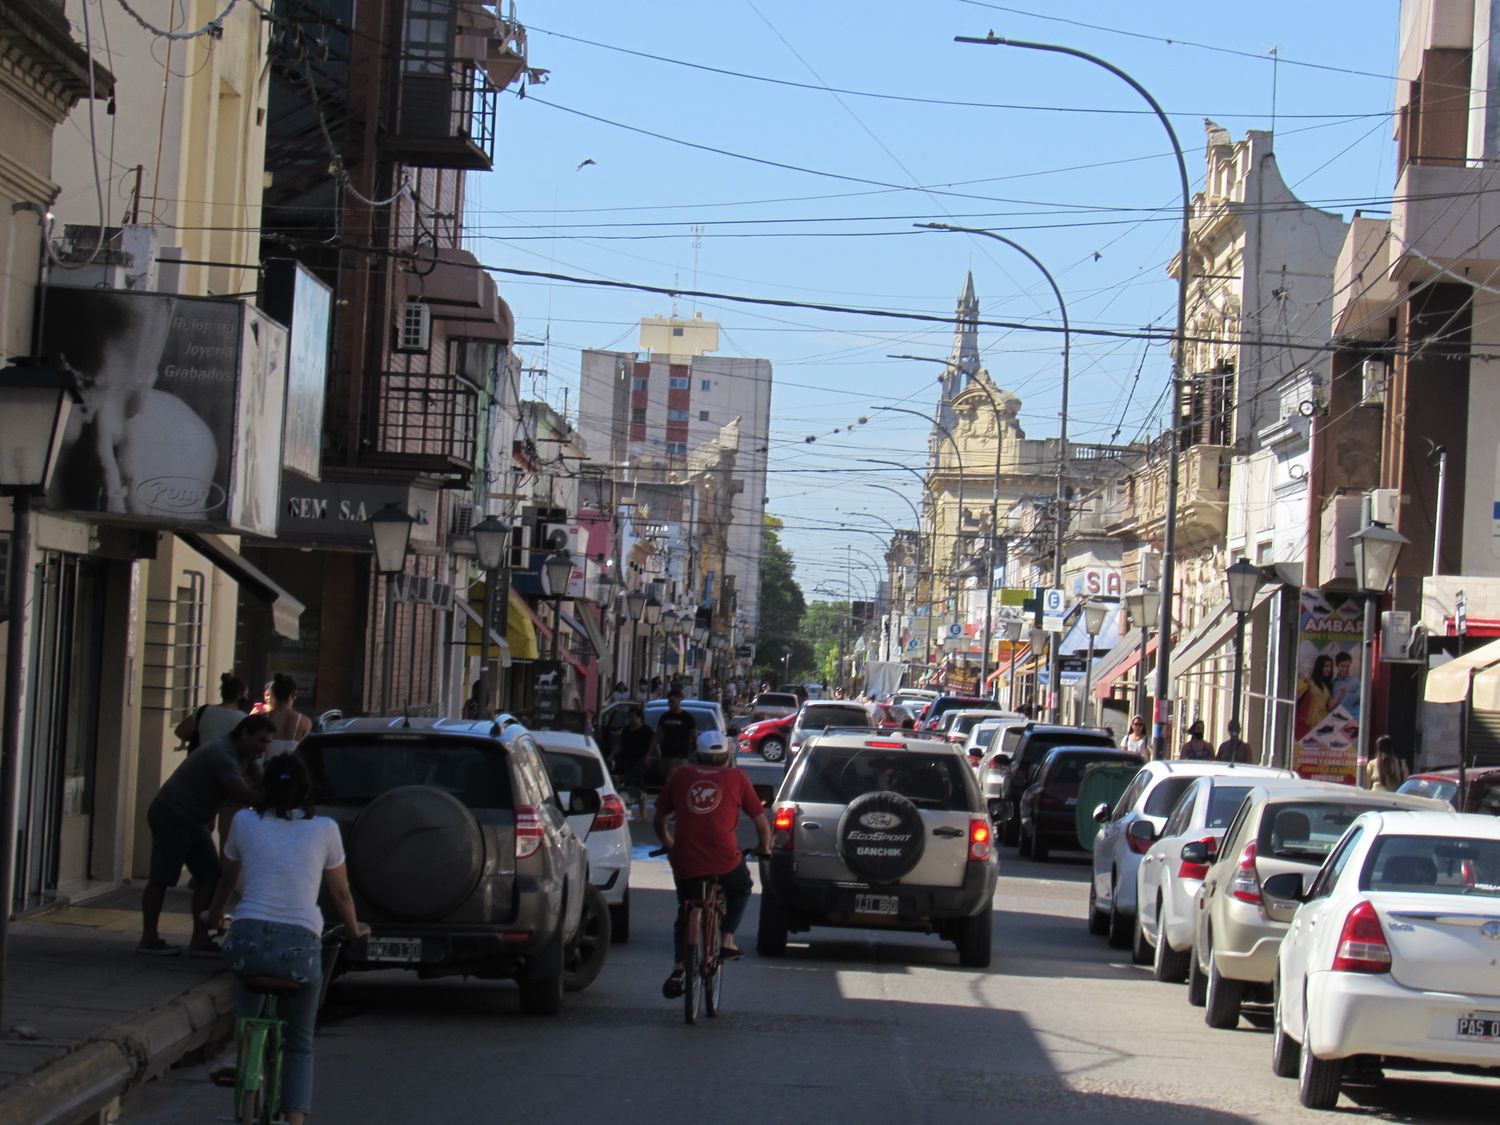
(446, 119)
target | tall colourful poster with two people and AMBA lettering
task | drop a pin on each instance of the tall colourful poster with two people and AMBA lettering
(1328, 712)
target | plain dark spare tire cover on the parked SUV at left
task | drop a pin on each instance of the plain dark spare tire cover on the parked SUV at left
(416, 853)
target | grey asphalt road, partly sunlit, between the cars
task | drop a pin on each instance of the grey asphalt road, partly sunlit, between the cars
(853, 1027)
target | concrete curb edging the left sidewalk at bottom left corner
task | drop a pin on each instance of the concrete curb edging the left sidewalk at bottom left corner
(82, 1084)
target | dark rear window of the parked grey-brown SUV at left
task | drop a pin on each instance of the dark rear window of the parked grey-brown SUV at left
(358, 772)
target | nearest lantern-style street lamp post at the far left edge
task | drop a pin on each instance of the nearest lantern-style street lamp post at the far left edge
(35, 406)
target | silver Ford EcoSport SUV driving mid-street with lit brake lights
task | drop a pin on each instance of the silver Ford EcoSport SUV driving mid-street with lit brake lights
(881, 832)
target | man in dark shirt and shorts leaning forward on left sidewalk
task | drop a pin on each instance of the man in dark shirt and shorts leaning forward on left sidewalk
(181, 818)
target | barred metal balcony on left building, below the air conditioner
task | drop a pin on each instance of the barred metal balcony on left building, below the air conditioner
(425, 425)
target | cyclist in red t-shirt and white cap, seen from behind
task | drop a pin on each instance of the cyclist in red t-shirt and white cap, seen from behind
(707, 800)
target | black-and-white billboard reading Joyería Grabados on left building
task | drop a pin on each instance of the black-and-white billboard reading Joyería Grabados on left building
(170, 395)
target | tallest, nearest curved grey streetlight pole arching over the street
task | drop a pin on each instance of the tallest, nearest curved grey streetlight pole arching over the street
(1169, 541)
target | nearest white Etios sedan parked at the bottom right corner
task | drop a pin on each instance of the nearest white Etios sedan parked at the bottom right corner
(1393, 953)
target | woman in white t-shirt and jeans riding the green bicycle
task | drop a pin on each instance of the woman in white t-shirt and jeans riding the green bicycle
(284, 854)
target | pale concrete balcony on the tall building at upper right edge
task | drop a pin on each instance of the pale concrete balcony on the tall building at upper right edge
(1445, 217)
